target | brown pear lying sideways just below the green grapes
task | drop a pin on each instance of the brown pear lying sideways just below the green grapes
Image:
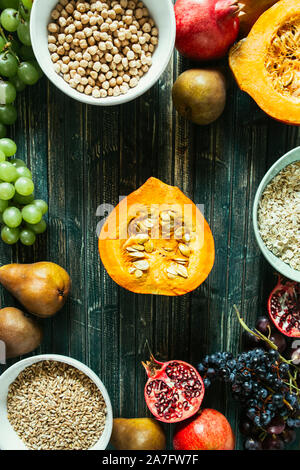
(42, 288)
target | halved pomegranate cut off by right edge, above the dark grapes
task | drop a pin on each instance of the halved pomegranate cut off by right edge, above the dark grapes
(284, 307)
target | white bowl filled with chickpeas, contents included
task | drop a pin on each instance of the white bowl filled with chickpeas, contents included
(103, 53)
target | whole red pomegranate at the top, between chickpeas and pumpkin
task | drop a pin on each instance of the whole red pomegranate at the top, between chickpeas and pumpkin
(205, 29)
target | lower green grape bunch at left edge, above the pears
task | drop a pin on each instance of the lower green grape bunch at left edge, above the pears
(21, 215)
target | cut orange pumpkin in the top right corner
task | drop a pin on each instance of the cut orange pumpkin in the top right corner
(267, 63)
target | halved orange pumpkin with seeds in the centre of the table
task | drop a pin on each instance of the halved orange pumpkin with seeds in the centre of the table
(156, 241)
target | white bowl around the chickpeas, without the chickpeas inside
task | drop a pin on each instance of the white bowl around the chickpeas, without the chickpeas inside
(162, 12)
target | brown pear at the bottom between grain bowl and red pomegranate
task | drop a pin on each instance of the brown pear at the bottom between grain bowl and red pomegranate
(138, 434)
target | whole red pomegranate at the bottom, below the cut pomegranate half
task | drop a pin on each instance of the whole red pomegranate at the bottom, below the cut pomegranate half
(208, 430)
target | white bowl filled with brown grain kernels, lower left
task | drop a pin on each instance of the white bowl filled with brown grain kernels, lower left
(53, 402)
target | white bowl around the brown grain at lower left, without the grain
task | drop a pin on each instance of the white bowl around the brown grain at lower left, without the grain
(9, 440)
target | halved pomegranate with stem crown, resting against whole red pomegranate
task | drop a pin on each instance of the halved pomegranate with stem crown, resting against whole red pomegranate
(174, 390)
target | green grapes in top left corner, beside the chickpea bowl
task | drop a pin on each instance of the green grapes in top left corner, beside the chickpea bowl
(18, 66)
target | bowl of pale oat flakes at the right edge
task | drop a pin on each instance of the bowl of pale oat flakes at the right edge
(276, 215)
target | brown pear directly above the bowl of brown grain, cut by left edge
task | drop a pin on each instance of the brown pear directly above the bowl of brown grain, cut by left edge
(20, 333)
